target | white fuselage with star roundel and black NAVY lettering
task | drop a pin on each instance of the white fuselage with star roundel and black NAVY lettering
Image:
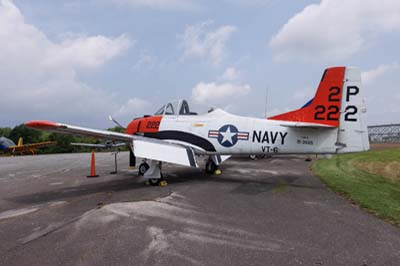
(231, 134)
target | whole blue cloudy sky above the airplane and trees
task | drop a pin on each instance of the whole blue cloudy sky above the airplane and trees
(79, 61)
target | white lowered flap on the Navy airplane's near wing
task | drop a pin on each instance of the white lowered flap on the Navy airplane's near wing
(165, 152)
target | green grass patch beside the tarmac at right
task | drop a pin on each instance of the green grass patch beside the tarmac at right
(368, 179)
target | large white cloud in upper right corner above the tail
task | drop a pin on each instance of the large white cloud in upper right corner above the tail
(335, 29)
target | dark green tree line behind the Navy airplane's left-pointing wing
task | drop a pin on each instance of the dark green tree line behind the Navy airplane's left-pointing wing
(63, 141)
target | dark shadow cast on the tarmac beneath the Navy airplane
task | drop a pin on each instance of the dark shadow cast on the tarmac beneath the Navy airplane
(250, 184)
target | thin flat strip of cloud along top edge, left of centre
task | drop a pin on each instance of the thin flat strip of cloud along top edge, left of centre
(178, 5)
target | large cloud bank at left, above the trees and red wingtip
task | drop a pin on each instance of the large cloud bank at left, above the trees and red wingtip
(40, 77)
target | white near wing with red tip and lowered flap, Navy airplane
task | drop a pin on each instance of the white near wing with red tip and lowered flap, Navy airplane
(144, 147)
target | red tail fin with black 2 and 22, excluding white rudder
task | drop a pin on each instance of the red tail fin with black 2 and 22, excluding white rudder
(324, 108)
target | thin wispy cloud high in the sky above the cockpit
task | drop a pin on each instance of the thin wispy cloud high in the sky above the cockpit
(198, 41)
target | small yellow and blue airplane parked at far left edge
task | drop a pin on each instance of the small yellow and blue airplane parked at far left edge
(8, 146)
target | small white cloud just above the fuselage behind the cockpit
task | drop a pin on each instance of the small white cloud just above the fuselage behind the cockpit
(217, 93)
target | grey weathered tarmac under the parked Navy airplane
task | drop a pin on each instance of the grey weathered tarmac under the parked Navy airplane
(264, 212)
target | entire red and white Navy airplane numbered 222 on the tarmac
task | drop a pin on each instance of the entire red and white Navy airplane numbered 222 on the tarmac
(332, 122)
